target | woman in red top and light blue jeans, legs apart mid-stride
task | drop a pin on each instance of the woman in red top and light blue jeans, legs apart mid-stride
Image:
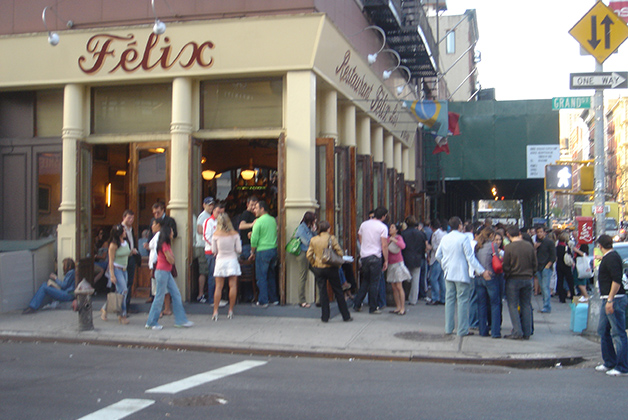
(164, 281)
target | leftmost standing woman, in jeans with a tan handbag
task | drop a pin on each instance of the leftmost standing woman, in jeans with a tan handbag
(119, 251)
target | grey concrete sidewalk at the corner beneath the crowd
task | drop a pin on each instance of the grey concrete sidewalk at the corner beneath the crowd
(294, 331)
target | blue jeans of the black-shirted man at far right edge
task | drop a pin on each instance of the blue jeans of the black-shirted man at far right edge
(612, 331)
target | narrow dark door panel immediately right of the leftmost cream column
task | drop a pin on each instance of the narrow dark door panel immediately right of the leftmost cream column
(84, 204)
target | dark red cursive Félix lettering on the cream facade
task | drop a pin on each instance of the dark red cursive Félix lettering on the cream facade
(112, 53)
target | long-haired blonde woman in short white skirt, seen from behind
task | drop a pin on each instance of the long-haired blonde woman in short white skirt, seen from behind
(226, 246)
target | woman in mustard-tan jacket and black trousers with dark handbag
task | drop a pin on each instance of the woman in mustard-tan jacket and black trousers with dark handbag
(325, 272)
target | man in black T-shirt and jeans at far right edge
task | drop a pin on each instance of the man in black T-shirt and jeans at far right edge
(612, 325)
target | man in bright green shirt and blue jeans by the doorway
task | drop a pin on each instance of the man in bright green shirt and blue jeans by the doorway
(264, 252)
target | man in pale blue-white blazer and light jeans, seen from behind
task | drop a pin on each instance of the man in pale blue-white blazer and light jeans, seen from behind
(456, 256)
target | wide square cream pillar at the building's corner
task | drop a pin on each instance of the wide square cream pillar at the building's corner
(300, 114)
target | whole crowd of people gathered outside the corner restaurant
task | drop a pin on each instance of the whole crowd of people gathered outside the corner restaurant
(470, 268)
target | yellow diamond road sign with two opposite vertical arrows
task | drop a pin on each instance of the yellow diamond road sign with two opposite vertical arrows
(600, 32)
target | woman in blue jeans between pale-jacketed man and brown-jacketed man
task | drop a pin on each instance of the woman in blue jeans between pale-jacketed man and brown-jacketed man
(489, 291)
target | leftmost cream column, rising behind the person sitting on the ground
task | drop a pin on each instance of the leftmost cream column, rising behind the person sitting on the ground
(73, 131)
